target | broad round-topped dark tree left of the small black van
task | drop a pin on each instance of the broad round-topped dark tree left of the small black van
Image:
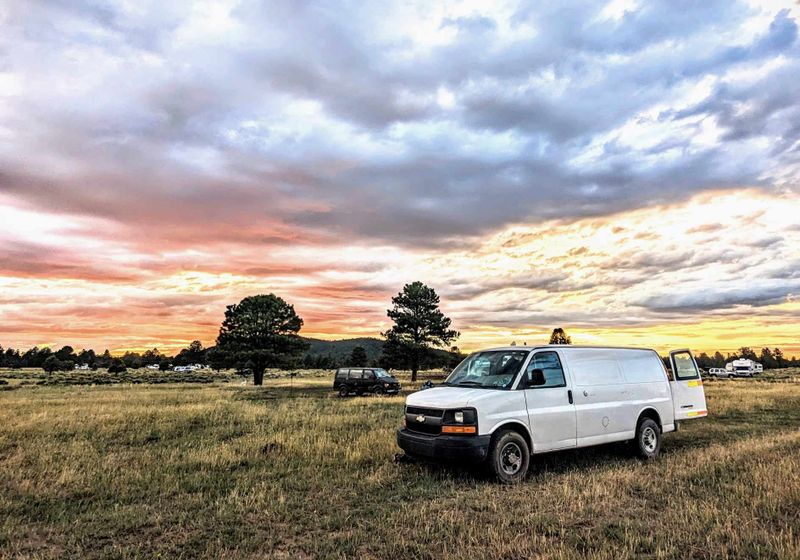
(260, 332)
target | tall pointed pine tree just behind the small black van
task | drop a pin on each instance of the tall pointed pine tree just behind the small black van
(419, 326)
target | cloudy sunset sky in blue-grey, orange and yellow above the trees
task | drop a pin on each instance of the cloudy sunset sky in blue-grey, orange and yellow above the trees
(628, 171)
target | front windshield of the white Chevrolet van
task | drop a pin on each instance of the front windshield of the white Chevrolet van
(495, 369)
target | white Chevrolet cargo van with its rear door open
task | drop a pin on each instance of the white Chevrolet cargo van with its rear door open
(504, 404)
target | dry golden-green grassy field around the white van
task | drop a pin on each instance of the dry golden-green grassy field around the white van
(222, 470)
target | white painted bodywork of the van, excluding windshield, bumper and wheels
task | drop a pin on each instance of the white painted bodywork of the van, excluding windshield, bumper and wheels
(606, 391)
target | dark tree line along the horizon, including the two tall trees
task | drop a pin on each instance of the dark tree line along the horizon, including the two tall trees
(262, 332)
